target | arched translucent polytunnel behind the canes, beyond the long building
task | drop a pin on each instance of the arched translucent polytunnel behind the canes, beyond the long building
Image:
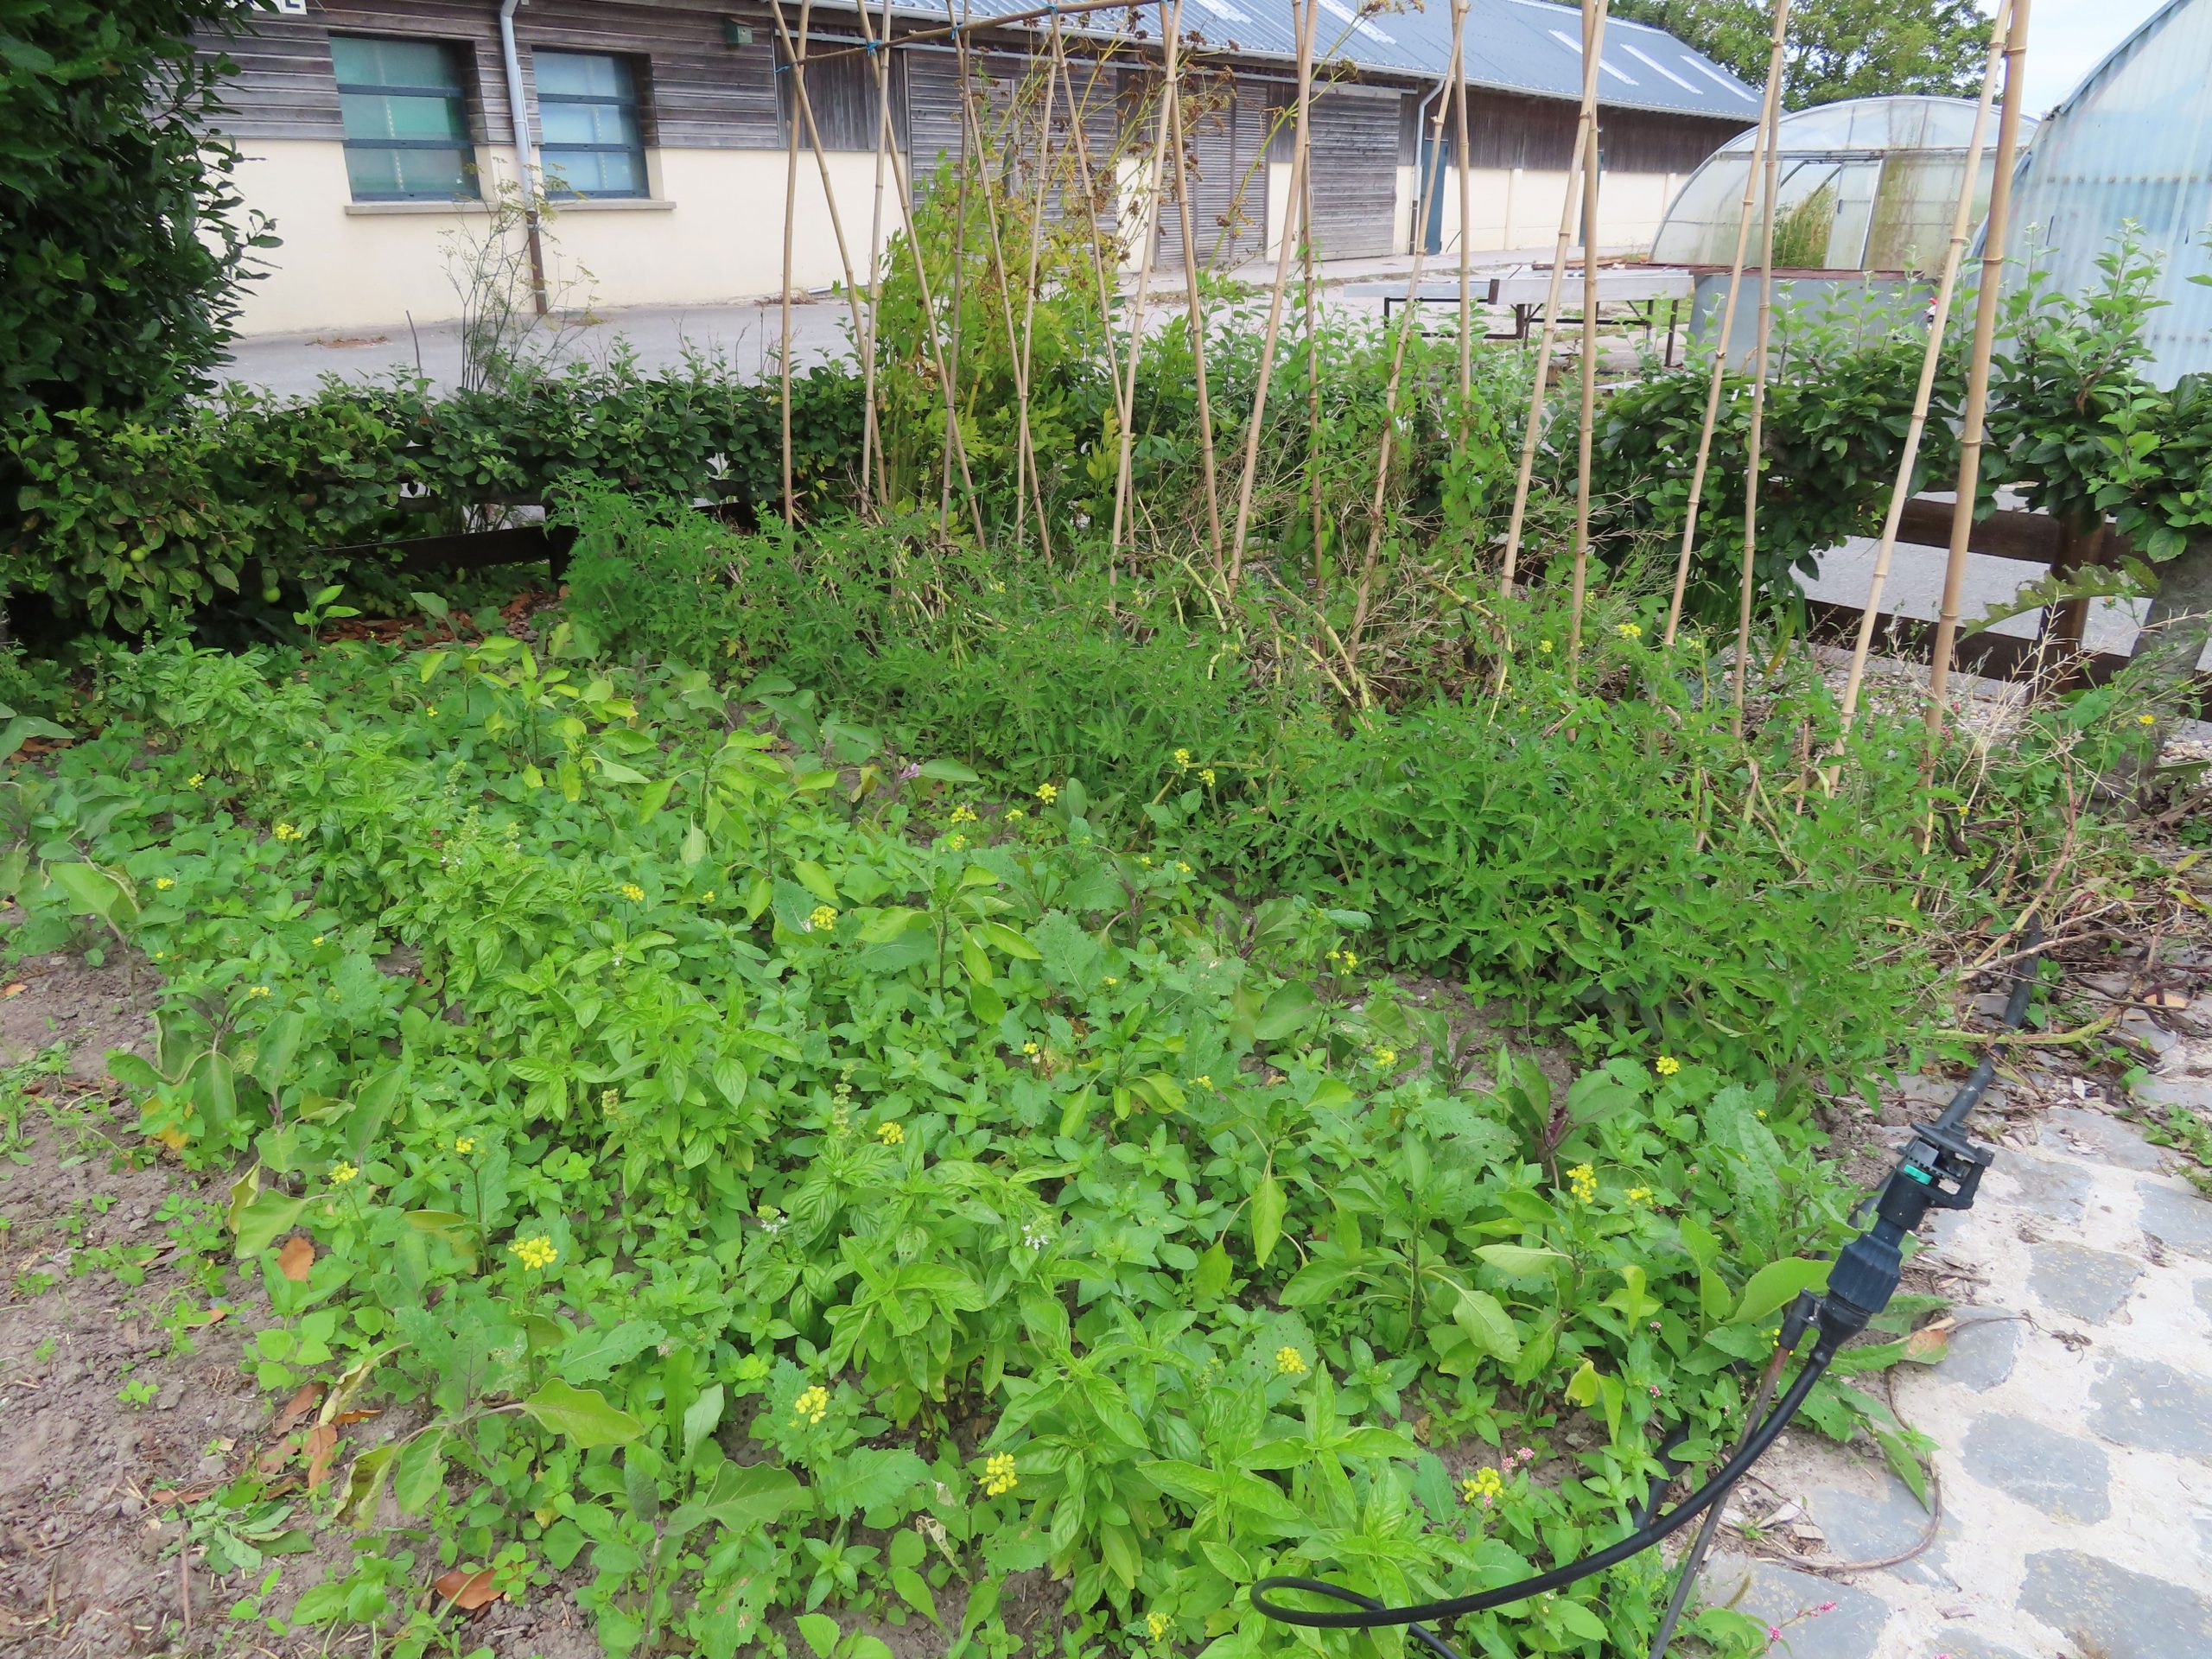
(1868, 185)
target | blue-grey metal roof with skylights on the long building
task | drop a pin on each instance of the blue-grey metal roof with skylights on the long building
(1510, 45)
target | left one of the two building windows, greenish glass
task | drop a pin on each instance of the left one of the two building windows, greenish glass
(406, 121)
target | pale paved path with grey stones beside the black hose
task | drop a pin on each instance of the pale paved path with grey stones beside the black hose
(2074, 1419)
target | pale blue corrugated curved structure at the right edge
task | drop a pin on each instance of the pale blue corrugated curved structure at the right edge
(2133, 143)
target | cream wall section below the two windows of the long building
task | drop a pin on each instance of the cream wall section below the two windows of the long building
(713, 233)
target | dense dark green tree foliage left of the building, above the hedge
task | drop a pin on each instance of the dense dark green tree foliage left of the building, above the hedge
(121, 244)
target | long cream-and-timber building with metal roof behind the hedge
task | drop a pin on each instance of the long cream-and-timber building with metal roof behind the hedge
(379, 134)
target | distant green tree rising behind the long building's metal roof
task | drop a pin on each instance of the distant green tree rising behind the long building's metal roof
(1837, 48)
